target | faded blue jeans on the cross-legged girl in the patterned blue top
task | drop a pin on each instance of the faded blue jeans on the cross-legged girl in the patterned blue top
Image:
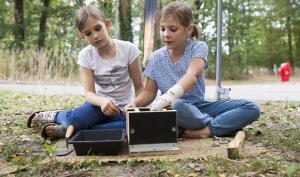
(222, 117)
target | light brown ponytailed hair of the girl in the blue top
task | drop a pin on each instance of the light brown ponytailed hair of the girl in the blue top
(183, 14)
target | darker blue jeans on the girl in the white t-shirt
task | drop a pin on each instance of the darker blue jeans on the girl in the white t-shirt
(89, 116)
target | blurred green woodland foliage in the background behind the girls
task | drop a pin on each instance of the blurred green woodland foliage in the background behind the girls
(254, 32)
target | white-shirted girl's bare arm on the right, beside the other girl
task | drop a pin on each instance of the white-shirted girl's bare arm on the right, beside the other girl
(136, 76)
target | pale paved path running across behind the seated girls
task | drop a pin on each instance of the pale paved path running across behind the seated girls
(277, 91)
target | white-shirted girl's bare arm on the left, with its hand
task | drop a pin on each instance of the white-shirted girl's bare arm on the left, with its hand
(108, 105)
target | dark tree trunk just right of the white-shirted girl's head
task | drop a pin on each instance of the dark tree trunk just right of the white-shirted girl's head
(125, 20)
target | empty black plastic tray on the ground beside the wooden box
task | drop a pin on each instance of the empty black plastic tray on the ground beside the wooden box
(98, 142)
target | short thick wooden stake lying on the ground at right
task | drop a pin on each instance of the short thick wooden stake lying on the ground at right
(235, 146)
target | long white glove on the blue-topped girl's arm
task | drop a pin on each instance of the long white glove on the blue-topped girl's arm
(168, 98)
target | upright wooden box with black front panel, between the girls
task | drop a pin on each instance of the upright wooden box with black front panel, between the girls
(150, 131)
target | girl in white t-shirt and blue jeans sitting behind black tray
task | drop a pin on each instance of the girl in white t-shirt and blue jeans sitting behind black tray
(109, 69)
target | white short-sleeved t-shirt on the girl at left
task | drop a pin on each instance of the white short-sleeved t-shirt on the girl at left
(112, 78)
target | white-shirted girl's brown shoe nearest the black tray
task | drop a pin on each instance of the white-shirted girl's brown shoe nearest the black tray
(59, 131)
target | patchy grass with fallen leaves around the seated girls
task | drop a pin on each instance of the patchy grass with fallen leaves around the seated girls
(278, 129)
